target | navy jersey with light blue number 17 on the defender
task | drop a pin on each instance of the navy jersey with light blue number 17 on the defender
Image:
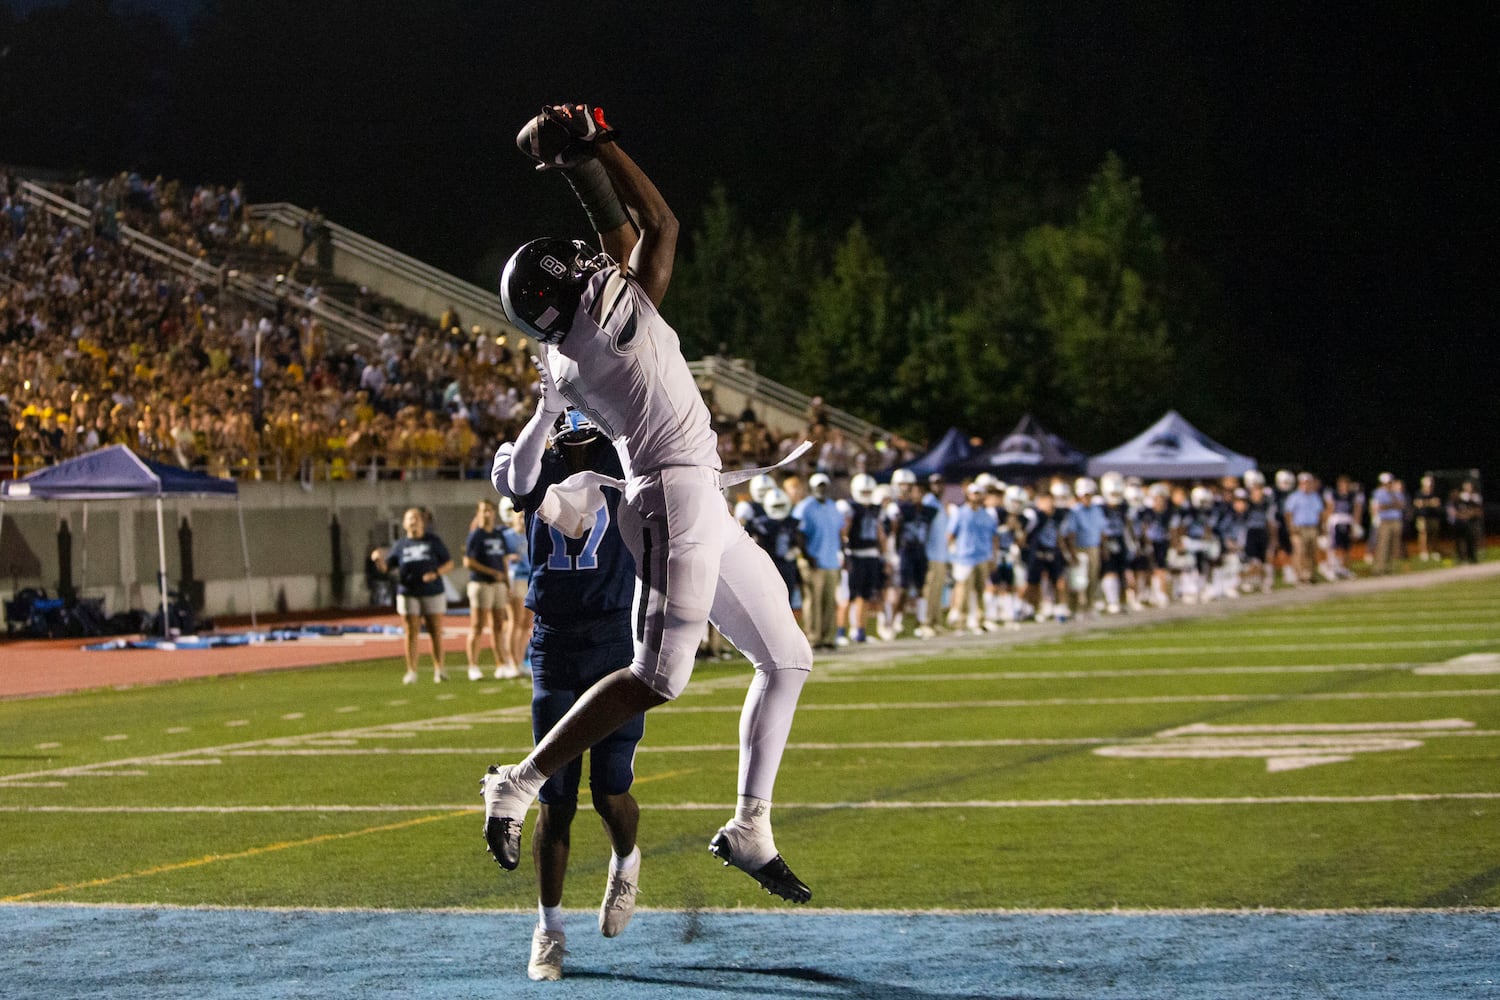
(578, 581)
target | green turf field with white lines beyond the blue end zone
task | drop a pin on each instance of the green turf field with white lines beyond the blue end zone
(1342, 753)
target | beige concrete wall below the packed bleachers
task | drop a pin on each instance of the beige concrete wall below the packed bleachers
(287, 530)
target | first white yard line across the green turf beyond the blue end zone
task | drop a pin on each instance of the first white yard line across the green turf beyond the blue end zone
(455, 809)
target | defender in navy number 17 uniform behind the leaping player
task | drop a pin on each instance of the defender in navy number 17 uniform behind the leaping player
(581, 594)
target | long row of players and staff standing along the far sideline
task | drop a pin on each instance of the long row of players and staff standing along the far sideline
(919, 558)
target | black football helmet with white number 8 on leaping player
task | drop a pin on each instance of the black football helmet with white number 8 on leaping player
(542, 284)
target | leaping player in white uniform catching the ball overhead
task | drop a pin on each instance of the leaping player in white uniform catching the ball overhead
(611, 355)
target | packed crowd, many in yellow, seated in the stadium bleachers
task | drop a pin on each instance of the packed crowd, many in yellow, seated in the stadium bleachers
(100, 347)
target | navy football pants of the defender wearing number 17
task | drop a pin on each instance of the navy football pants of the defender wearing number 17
(563, 666)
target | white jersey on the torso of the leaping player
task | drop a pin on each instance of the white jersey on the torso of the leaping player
(622, 365)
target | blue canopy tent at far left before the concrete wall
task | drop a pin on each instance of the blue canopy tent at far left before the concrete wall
(116, 473)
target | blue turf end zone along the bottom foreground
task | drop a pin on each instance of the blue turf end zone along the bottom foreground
(148, 953)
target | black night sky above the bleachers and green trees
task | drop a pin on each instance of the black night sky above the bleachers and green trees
(1327, 164)
